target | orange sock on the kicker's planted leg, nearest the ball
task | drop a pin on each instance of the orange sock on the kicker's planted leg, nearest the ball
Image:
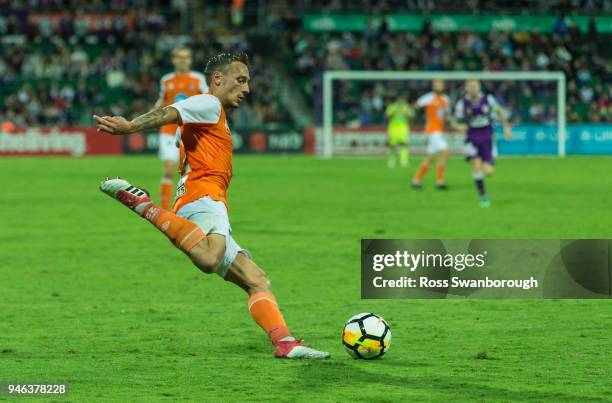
(265, 312)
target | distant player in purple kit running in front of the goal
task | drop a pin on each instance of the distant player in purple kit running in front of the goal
(477, 110)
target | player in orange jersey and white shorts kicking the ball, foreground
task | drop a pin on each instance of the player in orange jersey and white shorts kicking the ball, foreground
(200, 225)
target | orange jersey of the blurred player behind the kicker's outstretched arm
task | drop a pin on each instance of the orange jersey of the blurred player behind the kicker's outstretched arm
(176, 87)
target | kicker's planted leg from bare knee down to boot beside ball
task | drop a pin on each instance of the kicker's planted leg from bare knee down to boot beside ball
(264, 309)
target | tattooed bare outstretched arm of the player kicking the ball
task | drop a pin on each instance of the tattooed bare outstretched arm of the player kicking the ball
(119, 125)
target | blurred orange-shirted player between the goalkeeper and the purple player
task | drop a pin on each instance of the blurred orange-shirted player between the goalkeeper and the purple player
(436, 105)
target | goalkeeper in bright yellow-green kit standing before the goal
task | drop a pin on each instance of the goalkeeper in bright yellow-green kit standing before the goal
(398, 113)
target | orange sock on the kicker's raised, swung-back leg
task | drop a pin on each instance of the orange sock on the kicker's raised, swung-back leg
(182, 233)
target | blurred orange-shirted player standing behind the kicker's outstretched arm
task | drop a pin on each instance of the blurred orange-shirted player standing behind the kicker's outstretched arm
(174, 87)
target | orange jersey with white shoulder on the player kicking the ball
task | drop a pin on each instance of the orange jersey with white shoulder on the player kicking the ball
(205, 144)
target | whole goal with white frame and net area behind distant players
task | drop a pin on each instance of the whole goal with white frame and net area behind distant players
(354, 103)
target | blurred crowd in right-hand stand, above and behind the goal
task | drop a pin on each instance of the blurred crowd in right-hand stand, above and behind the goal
(583, 56)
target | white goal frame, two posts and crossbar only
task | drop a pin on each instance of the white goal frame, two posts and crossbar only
(366, 75)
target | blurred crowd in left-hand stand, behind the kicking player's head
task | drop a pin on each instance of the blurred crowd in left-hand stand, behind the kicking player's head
(59, 68)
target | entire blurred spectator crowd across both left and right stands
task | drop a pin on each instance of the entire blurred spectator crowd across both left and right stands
(59, 67)
